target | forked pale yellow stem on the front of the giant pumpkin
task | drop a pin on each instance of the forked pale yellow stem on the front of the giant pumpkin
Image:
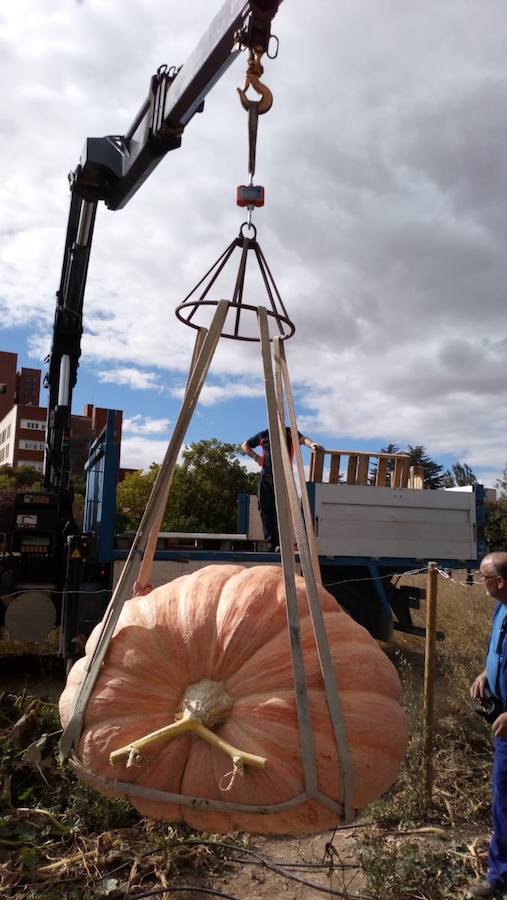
(188, 722)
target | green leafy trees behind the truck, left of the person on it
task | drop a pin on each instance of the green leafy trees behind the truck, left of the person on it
(204, 490)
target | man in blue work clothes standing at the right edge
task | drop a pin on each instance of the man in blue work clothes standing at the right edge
(493, 680)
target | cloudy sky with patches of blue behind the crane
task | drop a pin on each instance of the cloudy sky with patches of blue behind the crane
(385, 166)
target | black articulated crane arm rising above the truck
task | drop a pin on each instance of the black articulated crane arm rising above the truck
(111, 169)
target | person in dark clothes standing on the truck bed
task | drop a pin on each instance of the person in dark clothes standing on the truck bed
(265, 487)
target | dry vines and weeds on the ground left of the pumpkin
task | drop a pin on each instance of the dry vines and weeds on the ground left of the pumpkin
(60, 840)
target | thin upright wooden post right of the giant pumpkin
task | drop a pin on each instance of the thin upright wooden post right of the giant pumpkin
(429, 681)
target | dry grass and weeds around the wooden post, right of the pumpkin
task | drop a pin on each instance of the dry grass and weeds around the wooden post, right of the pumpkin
(407, 851)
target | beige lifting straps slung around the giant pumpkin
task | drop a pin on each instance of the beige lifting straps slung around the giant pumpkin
(289, 517)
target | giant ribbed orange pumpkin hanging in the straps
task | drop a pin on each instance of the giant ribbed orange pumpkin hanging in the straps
(212, 648)
